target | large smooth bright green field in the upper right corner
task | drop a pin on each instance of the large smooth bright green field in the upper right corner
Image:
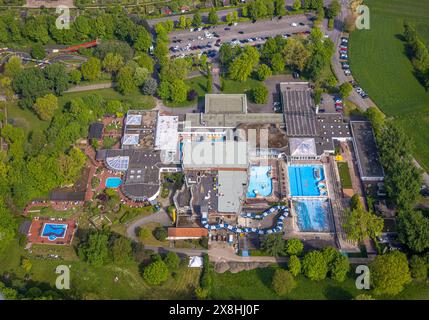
(379, 64)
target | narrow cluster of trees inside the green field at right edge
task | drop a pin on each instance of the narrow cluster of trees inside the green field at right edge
(418, 53)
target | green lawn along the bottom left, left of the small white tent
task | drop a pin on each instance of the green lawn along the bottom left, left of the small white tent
(98, 282)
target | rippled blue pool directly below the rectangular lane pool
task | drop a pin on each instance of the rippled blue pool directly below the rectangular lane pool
(313, 215)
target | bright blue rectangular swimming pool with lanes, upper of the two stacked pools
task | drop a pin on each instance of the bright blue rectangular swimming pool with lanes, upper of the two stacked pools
(307, 181)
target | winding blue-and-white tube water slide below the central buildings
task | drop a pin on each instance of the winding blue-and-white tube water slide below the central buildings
(279, 226)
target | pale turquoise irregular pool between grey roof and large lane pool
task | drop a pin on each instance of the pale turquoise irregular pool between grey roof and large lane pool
(260, 182)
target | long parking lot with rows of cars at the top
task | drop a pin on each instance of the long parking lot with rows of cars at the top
(210, 38)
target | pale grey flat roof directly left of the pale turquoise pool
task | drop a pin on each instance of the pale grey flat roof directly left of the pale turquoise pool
(232, 186)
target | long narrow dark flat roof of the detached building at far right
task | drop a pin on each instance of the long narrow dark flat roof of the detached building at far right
(366, 150)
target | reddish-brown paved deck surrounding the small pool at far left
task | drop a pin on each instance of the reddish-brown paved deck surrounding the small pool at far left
(35, 233)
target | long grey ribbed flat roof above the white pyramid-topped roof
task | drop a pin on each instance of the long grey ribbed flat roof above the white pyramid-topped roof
(298, 109)
